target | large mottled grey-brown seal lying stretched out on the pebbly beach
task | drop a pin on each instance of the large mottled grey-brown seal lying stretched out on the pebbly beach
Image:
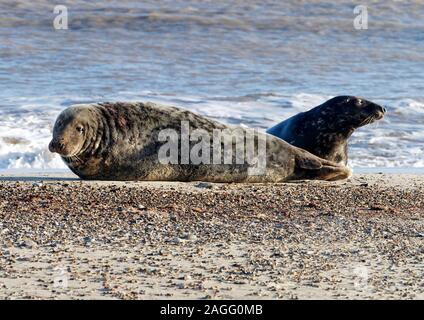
(121, 141)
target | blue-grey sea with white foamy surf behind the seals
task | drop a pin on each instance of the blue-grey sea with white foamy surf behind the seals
(241, 62)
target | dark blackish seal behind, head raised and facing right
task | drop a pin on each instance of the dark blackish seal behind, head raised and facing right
(325, 129)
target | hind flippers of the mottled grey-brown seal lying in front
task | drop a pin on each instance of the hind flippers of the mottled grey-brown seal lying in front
(311, 167)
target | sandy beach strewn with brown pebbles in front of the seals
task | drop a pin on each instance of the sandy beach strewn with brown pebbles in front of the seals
(63, 238)
